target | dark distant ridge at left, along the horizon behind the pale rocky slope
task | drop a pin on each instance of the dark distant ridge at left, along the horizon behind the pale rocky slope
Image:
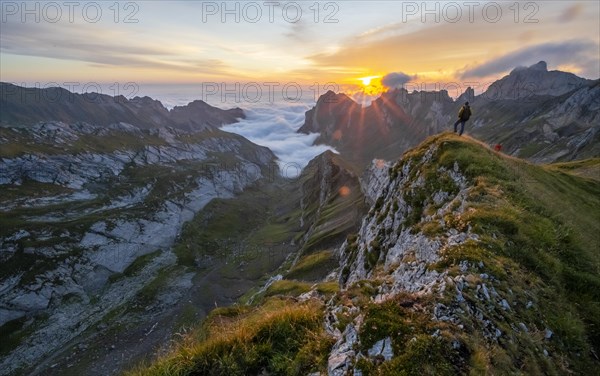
(27, 106)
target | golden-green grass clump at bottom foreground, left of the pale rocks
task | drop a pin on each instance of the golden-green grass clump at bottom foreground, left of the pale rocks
(280, 337)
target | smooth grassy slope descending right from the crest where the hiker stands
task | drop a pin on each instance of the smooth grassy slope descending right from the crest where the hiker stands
(538, 229)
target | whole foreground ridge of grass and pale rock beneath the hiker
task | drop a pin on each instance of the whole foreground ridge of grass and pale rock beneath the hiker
(465, 263)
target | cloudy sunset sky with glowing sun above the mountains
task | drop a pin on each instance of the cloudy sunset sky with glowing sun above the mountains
(330, 44)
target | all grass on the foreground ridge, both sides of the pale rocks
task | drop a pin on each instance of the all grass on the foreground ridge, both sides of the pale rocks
(538, 243)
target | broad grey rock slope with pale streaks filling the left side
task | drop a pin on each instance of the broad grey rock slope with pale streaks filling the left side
(103, 198)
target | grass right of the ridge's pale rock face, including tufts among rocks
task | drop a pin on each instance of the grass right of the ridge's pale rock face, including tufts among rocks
(538, 237)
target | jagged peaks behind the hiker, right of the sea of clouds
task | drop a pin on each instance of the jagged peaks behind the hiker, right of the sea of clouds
(544, 116)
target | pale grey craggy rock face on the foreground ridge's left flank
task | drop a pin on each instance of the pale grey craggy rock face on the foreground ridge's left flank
(386, 238)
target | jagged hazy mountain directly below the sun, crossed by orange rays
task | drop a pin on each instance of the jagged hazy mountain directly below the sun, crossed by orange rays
(385, 129)
